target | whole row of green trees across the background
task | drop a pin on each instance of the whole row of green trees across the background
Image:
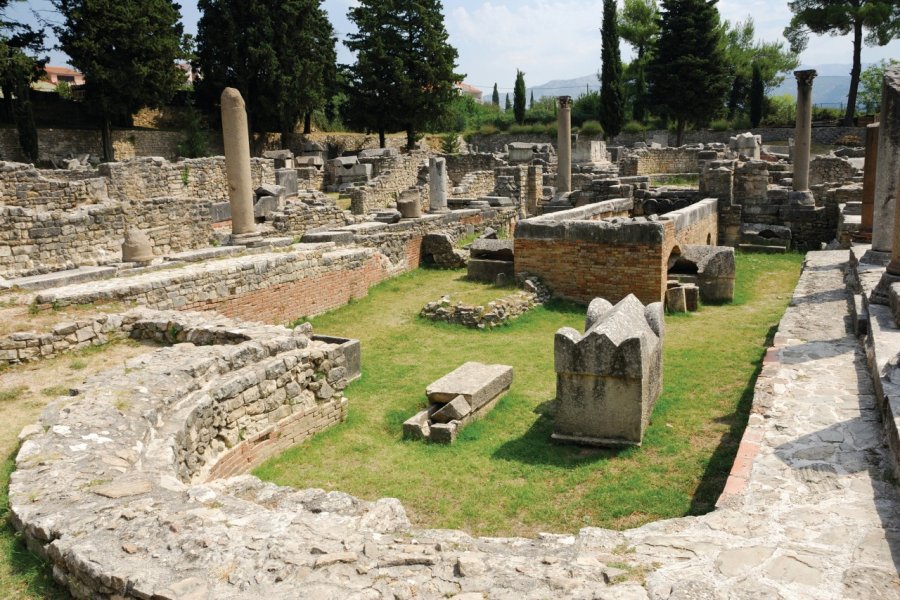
(690, 67)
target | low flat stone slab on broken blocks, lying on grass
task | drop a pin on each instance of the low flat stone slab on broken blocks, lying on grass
(457, 399)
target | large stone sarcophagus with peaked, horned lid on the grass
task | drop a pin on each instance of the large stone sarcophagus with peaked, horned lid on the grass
(608, 380)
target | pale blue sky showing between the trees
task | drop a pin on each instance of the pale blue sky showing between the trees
(547, 39)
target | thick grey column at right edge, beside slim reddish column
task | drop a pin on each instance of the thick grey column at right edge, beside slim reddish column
(887, 167)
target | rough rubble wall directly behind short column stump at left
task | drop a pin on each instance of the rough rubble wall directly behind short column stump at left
(33, 242)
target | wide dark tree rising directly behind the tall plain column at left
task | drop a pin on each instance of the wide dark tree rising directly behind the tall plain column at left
(282, 61)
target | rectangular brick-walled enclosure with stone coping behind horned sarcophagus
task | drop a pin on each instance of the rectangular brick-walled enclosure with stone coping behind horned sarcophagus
(581, 259)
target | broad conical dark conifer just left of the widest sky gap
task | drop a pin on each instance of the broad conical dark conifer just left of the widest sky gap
(405, 65)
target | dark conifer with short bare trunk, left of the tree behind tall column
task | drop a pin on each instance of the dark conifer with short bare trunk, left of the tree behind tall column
(127, 52)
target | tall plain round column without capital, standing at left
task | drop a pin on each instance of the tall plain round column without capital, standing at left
(236, 138)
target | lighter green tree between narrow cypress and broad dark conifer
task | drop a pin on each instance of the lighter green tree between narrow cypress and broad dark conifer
(639, 26)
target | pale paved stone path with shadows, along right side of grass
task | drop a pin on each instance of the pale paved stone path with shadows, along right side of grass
(813, 514)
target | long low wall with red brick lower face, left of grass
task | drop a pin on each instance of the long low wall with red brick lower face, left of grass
(280, 286)
